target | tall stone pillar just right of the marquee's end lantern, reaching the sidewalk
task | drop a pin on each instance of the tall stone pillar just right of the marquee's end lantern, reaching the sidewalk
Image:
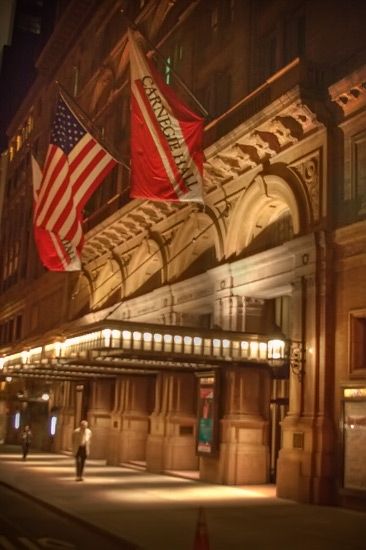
(306, 465)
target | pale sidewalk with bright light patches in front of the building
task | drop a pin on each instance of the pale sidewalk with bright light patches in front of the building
(158, 512)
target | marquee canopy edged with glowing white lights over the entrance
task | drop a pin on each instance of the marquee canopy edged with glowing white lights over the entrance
(111, 348)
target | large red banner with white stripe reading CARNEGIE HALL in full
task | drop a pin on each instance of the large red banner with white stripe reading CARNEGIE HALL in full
(166, 137)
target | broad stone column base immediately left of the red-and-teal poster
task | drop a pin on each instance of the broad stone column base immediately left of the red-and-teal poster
(171, 442)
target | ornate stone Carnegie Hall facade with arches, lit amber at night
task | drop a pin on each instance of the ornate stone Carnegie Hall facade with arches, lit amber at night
(223, 340)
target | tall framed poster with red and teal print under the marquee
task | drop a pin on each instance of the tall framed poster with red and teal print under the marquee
(207, 415)
